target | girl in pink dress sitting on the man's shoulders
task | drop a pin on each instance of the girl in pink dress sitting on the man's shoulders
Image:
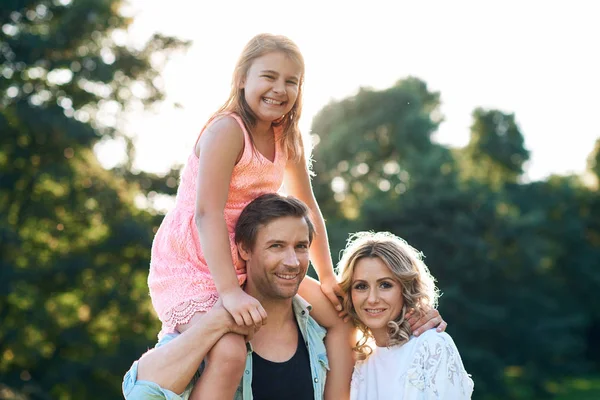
(249, 147)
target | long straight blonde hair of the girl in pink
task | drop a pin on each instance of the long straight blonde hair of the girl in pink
(258, 46)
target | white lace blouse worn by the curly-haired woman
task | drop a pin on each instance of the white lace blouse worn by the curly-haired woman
(427, 367)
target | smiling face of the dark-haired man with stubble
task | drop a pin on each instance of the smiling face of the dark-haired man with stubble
(279, 260)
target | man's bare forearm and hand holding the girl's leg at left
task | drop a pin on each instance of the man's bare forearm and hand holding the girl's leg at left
(173, 365)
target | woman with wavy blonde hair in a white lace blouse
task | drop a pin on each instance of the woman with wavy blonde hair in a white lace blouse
(384, 278)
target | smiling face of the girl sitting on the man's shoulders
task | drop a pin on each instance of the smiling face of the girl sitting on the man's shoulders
(271, 86)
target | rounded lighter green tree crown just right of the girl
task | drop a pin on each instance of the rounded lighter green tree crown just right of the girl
(369, 142)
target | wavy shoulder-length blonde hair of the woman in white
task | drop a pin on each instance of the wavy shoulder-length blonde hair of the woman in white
(406, 264)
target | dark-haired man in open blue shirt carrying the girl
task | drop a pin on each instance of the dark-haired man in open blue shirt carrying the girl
(286, 357)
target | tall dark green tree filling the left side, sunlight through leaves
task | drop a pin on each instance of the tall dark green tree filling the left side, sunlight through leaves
(74, 309)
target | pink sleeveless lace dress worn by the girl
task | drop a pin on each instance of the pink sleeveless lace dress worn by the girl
(180, 282)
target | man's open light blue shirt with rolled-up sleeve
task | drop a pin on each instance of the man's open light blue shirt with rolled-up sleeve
(312, 334)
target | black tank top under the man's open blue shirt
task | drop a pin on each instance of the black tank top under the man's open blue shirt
(291, 380)
